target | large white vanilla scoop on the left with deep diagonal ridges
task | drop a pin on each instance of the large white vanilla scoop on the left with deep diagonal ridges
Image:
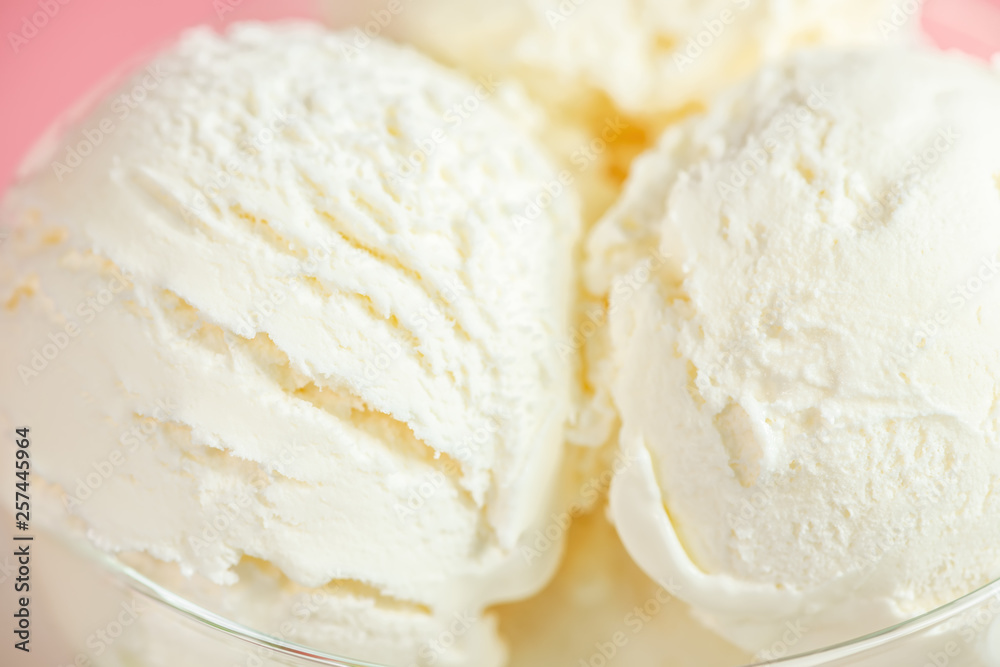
(271, 302)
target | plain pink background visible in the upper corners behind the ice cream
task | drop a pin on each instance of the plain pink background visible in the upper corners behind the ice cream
(85, 40)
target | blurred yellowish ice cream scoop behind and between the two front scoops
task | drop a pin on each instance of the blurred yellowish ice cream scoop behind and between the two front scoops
(611, 75)
